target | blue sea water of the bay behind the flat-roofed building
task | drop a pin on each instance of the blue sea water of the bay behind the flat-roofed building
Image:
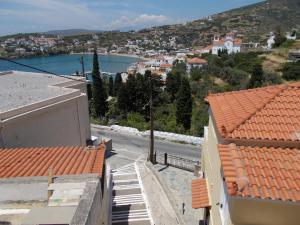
(69, 64)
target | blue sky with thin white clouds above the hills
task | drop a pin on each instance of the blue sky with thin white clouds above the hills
(23, 16)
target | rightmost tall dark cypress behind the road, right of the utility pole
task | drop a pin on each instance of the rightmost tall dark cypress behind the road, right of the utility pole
(184, 105)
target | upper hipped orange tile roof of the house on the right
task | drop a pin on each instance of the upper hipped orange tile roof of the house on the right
(269, 113)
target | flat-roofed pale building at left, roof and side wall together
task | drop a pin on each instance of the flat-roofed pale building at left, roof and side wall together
(38, 109)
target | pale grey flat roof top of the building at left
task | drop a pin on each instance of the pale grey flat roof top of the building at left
(19, 89)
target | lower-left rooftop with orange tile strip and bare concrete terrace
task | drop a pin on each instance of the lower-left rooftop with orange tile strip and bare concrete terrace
(27, 197)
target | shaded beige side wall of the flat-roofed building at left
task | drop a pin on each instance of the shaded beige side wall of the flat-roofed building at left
(62, 124)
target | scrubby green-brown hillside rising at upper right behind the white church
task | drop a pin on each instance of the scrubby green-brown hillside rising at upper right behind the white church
(252, 22)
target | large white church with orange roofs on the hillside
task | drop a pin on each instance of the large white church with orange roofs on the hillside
(229, 43)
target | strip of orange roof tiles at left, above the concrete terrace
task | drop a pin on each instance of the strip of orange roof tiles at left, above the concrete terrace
(29, 162)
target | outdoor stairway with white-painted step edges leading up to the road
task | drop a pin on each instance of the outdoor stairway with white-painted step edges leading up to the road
(129, 202)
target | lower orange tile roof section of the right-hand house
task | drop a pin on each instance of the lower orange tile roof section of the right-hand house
(266, 173)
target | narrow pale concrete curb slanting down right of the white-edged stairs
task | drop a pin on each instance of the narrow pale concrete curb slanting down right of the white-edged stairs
(167, 192)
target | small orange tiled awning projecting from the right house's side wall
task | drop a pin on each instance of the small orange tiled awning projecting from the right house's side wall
(200, 197)
